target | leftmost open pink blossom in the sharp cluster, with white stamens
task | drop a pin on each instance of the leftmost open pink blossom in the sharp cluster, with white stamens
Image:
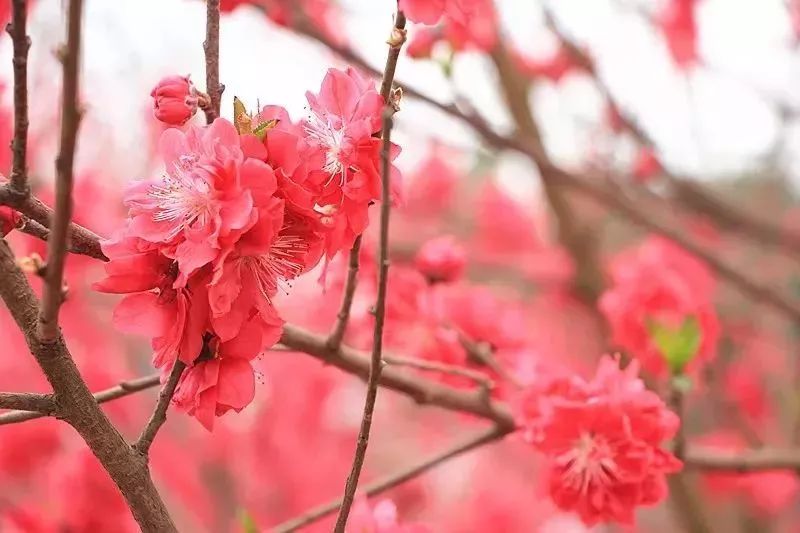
(199, 202)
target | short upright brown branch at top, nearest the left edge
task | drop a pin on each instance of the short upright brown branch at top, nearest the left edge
(19, 145)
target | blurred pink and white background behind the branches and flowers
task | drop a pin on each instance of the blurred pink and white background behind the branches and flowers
(621, 91)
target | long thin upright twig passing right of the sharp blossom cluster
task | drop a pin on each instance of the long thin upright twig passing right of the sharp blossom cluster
(395, 42)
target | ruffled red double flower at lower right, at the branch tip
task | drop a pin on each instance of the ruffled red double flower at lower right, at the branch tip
(603, 440)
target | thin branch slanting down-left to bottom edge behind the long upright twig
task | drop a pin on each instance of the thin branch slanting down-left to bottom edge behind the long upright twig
(393, 480)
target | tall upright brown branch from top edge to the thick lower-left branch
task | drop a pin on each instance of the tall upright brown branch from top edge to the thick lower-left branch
(59, 233)
